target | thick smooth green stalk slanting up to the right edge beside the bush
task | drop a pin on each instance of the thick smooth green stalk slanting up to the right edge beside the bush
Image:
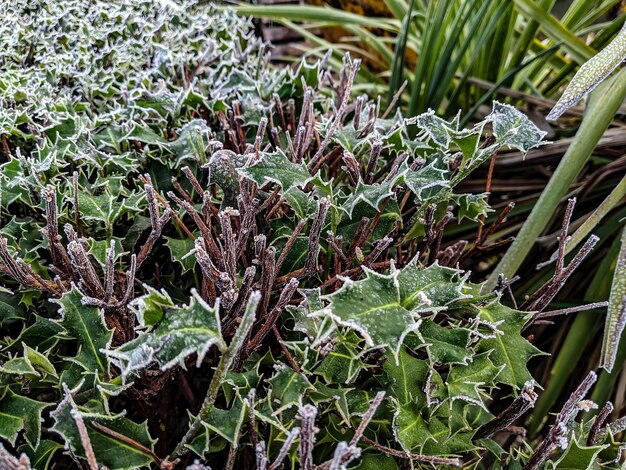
(599, 115)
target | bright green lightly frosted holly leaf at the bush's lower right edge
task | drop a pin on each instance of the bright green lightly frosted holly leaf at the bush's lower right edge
(509, 349)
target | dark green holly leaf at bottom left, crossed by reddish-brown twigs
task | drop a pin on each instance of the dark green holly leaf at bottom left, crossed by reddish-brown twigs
(104, 431)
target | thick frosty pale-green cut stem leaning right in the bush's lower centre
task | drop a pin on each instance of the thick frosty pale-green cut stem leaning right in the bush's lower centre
(222, 369)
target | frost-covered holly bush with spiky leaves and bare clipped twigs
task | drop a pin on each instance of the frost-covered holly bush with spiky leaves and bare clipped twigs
(204, 257)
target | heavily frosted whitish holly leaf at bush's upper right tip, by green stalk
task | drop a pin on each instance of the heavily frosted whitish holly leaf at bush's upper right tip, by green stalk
(514, 128)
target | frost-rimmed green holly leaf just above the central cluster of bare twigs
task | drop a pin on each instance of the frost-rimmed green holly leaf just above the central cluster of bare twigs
(277, 168)
